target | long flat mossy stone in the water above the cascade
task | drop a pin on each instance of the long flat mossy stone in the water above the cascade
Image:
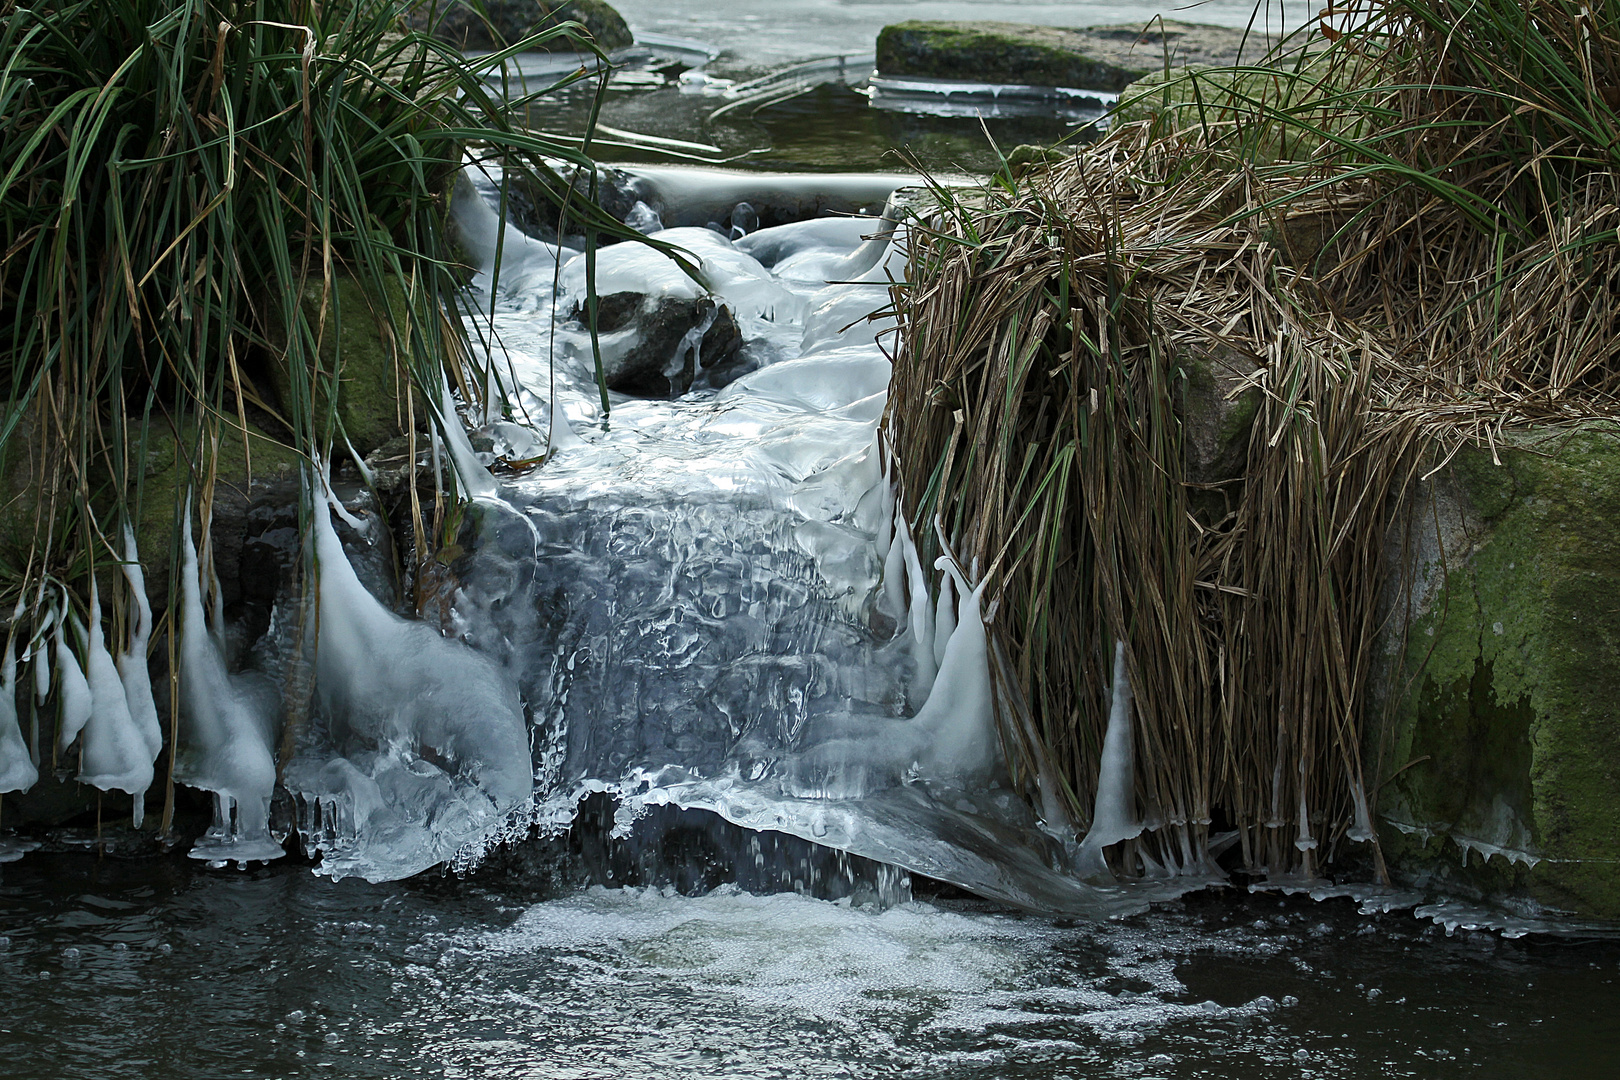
(1098, 59)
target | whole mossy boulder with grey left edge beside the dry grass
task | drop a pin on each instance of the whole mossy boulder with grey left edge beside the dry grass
(1496, 725)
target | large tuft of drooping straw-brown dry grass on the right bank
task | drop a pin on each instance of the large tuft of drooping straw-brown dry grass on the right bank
(1433, 260)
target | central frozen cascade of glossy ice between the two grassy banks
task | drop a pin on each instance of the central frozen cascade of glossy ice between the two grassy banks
(701, 627)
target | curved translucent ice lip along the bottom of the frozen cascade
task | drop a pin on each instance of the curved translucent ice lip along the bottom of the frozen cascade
(908, 828)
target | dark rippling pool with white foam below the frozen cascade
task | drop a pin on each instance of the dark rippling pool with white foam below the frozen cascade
(168, 969)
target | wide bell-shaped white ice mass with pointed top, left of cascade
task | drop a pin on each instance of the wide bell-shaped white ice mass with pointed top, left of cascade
(427, 747)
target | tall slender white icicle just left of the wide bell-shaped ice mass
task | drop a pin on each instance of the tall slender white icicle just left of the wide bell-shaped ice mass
(229, 738)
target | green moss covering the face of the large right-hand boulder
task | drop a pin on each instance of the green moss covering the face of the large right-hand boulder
(1517, 707)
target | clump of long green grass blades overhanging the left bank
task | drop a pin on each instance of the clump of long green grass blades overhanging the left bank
(184, 184)
